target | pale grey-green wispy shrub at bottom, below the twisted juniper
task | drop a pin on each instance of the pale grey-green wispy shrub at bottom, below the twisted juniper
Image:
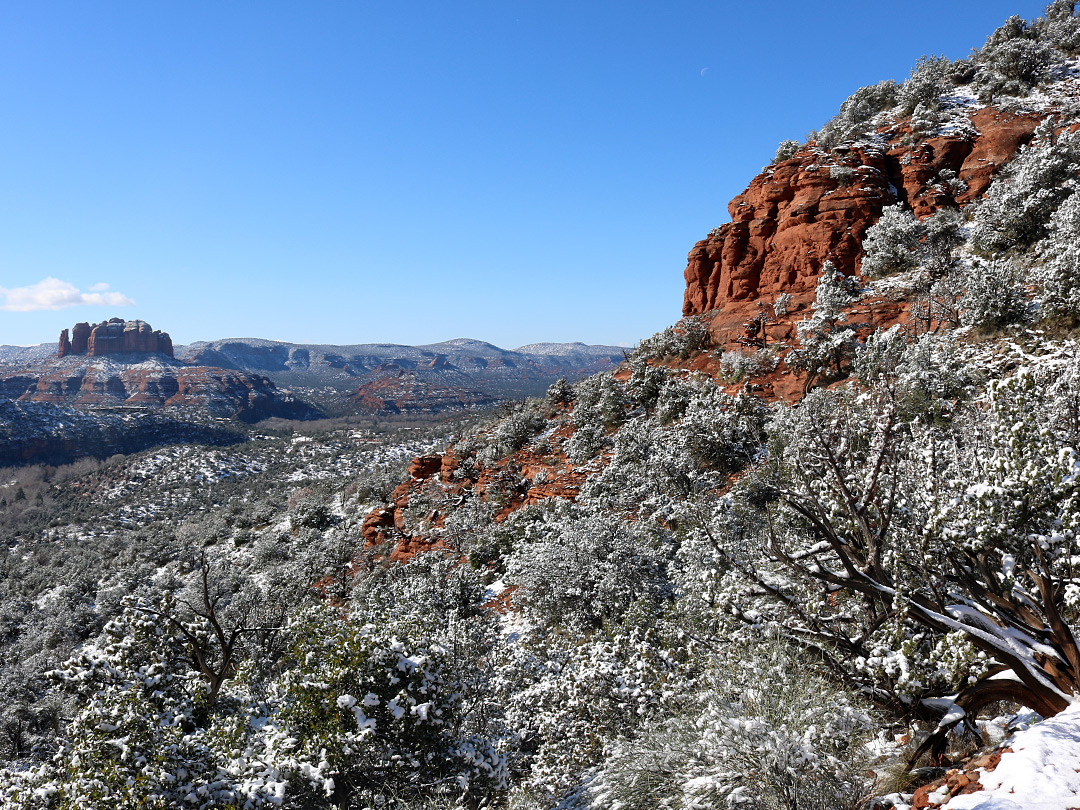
(765, 732)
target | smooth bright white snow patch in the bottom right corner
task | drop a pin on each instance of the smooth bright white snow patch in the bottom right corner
(1041, 773)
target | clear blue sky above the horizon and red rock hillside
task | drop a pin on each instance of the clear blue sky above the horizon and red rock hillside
(514, 171)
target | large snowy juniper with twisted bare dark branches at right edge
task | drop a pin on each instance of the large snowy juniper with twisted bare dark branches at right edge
(920, 562)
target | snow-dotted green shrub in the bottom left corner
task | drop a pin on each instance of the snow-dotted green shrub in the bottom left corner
(144, 735)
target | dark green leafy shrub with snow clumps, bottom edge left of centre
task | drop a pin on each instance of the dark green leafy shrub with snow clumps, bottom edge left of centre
(371, 718)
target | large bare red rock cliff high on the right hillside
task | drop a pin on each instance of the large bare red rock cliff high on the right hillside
(817, 207)
